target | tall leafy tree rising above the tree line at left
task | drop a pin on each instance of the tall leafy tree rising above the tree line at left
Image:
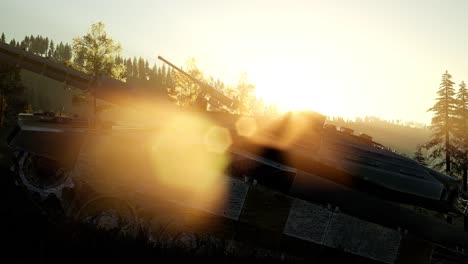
(95, 53)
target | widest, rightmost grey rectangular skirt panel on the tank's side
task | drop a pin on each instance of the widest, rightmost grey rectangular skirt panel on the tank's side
(363, 238)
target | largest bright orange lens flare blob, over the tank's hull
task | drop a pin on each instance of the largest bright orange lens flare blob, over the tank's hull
(189, 157)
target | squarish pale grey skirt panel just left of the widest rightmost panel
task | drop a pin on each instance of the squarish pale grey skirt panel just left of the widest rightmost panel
(307, 221)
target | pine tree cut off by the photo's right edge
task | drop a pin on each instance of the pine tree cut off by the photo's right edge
(461, 128)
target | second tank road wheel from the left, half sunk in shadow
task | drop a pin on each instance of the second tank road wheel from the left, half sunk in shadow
(111, 214)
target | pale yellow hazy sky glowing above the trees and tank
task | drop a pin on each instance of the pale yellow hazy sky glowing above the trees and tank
(347, 58)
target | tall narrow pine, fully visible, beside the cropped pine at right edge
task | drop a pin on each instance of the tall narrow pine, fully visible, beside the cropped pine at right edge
(442, 126)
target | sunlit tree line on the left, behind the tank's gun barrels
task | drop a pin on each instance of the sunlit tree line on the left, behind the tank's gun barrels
(98, 54)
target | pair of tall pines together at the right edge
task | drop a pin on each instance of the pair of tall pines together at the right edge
(448, 147)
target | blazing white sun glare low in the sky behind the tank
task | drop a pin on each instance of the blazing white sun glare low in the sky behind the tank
(301, 90)
